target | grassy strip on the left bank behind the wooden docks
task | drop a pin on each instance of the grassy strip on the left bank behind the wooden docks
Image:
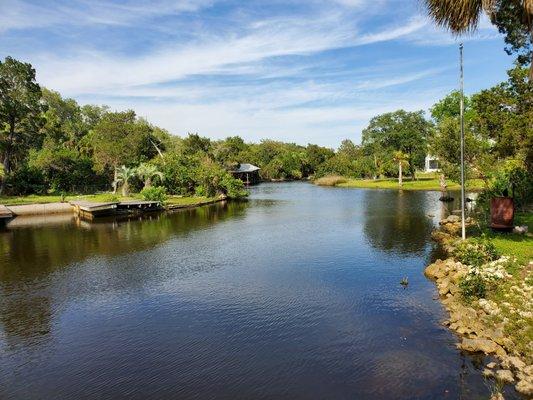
(176, 201)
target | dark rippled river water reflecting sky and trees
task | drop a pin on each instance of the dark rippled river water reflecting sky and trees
(294, 294)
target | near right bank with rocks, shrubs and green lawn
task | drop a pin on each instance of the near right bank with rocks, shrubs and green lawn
(486, 285)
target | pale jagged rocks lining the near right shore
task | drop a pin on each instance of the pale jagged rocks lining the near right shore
(483, 325)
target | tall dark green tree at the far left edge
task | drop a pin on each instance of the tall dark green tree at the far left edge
(20, 111)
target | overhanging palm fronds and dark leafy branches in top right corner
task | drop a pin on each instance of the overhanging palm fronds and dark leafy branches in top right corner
(513, 18)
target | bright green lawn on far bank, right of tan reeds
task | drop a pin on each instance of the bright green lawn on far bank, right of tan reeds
(422, 183)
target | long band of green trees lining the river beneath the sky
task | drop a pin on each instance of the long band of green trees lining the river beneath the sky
(52, 144)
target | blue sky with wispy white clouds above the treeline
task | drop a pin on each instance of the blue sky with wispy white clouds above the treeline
(310, 71)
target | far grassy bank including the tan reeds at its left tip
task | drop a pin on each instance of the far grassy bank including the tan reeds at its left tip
(422, 183)
